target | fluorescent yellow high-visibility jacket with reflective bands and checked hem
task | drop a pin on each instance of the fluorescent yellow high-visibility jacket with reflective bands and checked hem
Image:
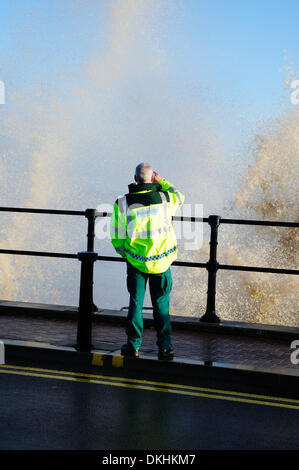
(141, 225)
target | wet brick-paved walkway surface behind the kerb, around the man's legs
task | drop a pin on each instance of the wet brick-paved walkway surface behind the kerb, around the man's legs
(197, 345)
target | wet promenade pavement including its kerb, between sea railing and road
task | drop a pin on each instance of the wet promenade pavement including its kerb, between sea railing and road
(237, 350)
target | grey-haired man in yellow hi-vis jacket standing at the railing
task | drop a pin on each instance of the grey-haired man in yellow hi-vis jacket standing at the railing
(142, 232)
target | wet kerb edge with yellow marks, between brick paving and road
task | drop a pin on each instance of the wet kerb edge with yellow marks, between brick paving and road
(103, 360)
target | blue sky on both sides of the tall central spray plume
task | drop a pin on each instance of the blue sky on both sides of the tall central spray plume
(234, 50)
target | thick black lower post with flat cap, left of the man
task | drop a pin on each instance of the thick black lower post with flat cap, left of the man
(84, 328)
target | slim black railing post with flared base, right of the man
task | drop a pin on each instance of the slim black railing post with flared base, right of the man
(212, 266)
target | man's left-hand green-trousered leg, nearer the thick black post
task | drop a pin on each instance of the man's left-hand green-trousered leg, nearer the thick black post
(136, 284)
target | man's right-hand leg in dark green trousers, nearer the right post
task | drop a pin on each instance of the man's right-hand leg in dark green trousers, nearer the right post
(160, 287)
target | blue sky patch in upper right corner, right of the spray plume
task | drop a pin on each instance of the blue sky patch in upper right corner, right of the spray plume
(240, 48)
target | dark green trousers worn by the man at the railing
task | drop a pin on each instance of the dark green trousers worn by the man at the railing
(160, 286)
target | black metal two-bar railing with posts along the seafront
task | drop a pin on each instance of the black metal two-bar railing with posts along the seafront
(89, 257)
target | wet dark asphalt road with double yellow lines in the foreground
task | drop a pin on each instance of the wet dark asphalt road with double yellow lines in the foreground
(59, 409)
